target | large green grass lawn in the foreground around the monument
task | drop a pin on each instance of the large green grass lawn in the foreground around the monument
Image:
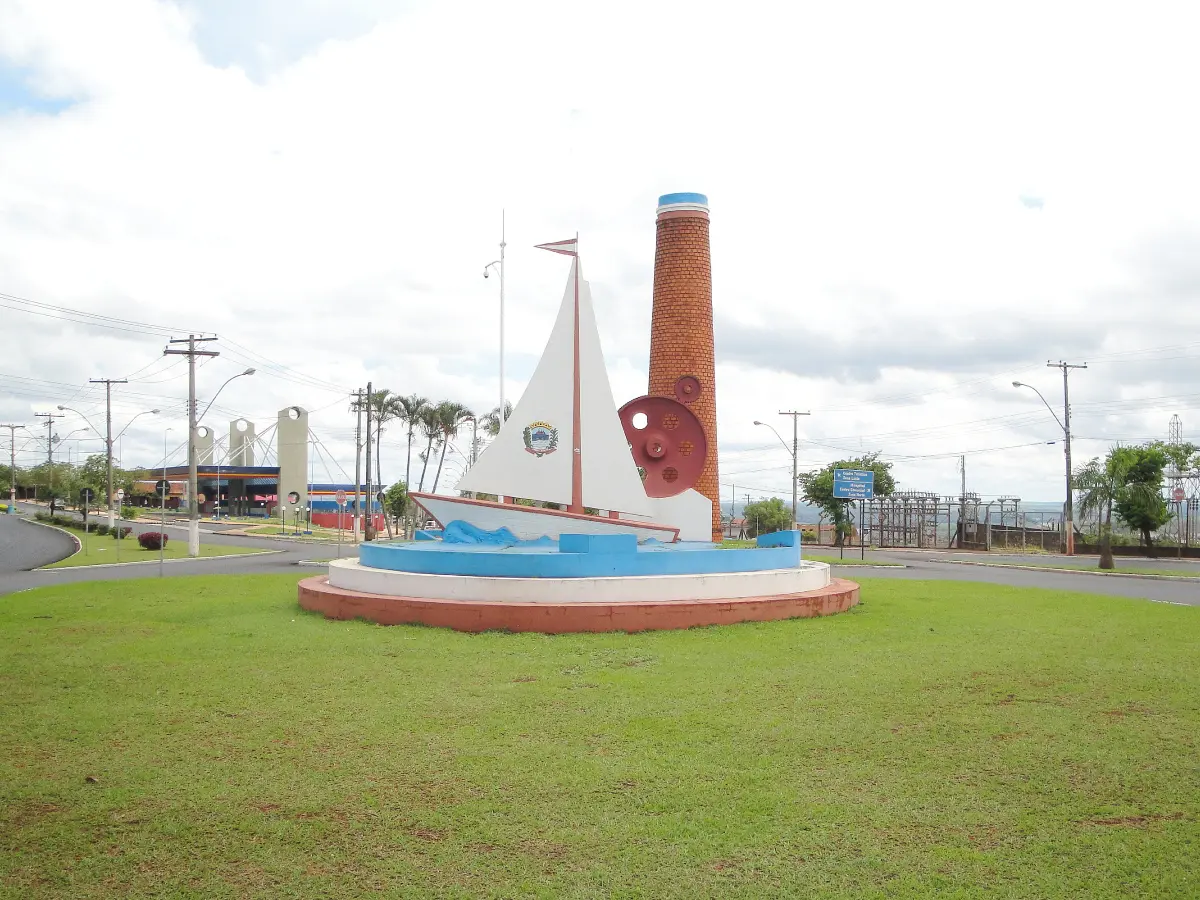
(941, 740)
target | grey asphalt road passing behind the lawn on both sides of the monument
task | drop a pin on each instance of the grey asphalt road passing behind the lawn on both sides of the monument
(25, 547)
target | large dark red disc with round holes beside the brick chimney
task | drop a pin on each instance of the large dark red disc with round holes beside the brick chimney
(670, 445)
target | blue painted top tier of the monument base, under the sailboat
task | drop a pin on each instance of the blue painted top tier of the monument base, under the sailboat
(580, 556)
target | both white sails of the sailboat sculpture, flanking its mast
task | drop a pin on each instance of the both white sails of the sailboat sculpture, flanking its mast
(532, 457)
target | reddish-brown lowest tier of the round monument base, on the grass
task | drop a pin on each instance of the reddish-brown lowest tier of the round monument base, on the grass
(555, 619)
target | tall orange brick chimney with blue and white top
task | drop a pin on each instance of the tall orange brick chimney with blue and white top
(682, 321)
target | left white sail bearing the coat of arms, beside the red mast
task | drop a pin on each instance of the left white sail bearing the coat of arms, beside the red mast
(507, 467)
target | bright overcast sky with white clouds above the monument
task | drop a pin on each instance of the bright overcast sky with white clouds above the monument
(913, 206)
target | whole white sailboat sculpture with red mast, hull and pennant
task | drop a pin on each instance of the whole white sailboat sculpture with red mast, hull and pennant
(563, 443)
